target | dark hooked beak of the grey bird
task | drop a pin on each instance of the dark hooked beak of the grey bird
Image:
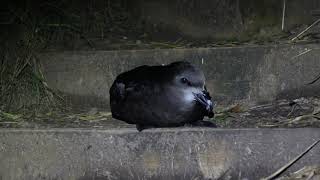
(204, 99)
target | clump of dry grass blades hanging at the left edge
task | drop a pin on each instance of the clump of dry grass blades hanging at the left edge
(22, 82)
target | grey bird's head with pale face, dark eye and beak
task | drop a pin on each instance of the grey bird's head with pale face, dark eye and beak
(190, 82)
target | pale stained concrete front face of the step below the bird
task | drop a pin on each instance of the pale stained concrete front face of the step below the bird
(180, 153)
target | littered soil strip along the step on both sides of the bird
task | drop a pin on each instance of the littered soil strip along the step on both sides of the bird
(302, 112)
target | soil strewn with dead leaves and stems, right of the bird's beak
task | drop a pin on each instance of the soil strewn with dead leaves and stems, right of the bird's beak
(302, 112)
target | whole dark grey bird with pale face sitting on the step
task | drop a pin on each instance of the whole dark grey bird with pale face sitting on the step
(161, 96)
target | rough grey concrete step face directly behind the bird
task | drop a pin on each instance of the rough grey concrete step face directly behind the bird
(249, 75)
